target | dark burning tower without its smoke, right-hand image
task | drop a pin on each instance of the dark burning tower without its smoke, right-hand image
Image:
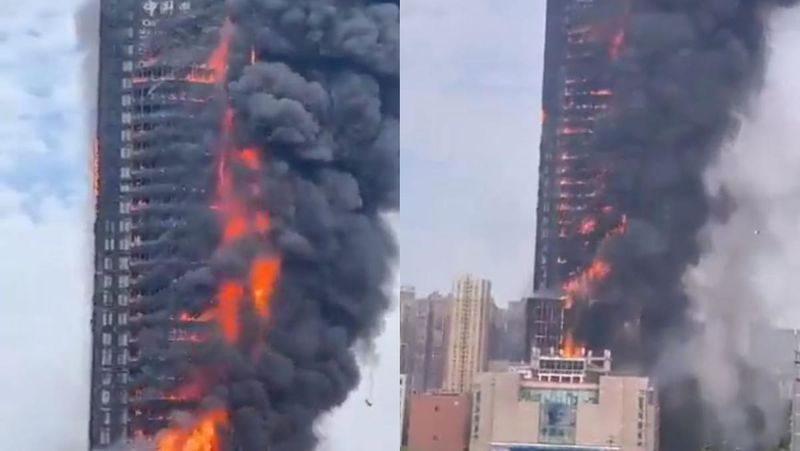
(583, 38)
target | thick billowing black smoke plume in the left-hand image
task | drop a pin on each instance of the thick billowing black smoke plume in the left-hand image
(320, 103)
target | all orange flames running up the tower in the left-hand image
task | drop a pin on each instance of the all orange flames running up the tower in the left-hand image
(238, 220)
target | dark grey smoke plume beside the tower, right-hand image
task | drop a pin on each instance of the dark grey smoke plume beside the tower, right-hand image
(687, 72)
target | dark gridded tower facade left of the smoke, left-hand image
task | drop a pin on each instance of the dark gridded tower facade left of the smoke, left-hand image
(150, 168)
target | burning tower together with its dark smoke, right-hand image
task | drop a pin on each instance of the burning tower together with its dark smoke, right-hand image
(640, 97)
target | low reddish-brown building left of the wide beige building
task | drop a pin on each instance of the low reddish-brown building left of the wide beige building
(439, 422)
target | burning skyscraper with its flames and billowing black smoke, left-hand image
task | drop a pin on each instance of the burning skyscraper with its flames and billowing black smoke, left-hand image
(246, 153)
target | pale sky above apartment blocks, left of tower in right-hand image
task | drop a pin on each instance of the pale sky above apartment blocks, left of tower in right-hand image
(471, 78)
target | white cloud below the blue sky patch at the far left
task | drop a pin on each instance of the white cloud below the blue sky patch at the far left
(44, 329)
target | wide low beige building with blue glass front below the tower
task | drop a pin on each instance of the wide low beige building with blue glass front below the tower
(557, 403)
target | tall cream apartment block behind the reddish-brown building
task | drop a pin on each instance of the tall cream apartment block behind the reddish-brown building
(468, 340)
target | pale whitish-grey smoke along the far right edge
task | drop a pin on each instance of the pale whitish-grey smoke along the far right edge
(746, 279)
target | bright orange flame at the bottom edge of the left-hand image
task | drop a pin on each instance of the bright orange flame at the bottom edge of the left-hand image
(202, 436)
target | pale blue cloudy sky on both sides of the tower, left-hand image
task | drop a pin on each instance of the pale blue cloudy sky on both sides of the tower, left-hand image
(44, 184)
